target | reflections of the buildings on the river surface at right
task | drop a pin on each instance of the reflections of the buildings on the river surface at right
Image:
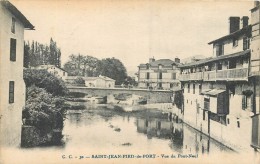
(184, 139)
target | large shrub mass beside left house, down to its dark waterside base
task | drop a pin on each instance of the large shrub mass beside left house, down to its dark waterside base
(44, 112)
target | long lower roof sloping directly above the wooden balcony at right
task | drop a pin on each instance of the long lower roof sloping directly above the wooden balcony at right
(208, 60)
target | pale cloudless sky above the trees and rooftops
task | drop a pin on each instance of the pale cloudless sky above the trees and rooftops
(132, 31)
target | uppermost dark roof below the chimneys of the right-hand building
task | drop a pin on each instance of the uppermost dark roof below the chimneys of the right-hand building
(245, 30)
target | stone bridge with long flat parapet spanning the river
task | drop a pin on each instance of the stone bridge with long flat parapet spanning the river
(153, 96)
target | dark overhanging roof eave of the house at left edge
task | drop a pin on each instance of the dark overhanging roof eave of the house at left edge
(9, 6)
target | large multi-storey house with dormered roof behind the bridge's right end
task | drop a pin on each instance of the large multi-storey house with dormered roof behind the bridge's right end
(159, 74)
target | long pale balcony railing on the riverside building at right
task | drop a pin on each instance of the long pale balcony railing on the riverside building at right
(229, 74)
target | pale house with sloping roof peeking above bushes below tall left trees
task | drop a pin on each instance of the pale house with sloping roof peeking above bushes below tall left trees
(56, 71)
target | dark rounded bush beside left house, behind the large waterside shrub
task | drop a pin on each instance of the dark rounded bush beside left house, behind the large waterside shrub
(43, 79)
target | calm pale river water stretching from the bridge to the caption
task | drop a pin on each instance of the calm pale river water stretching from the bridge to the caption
(107, 132)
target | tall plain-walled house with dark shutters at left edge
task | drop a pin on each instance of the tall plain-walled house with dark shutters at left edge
(13, 23)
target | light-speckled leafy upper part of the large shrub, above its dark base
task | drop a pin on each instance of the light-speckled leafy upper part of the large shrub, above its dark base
(43, 110)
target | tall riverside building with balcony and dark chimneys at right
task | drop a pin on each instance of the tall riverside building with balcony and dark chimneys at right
(221, 93)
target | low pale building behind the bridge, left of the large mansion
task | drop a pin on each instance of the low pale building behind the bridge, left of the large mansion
(96, 82)
